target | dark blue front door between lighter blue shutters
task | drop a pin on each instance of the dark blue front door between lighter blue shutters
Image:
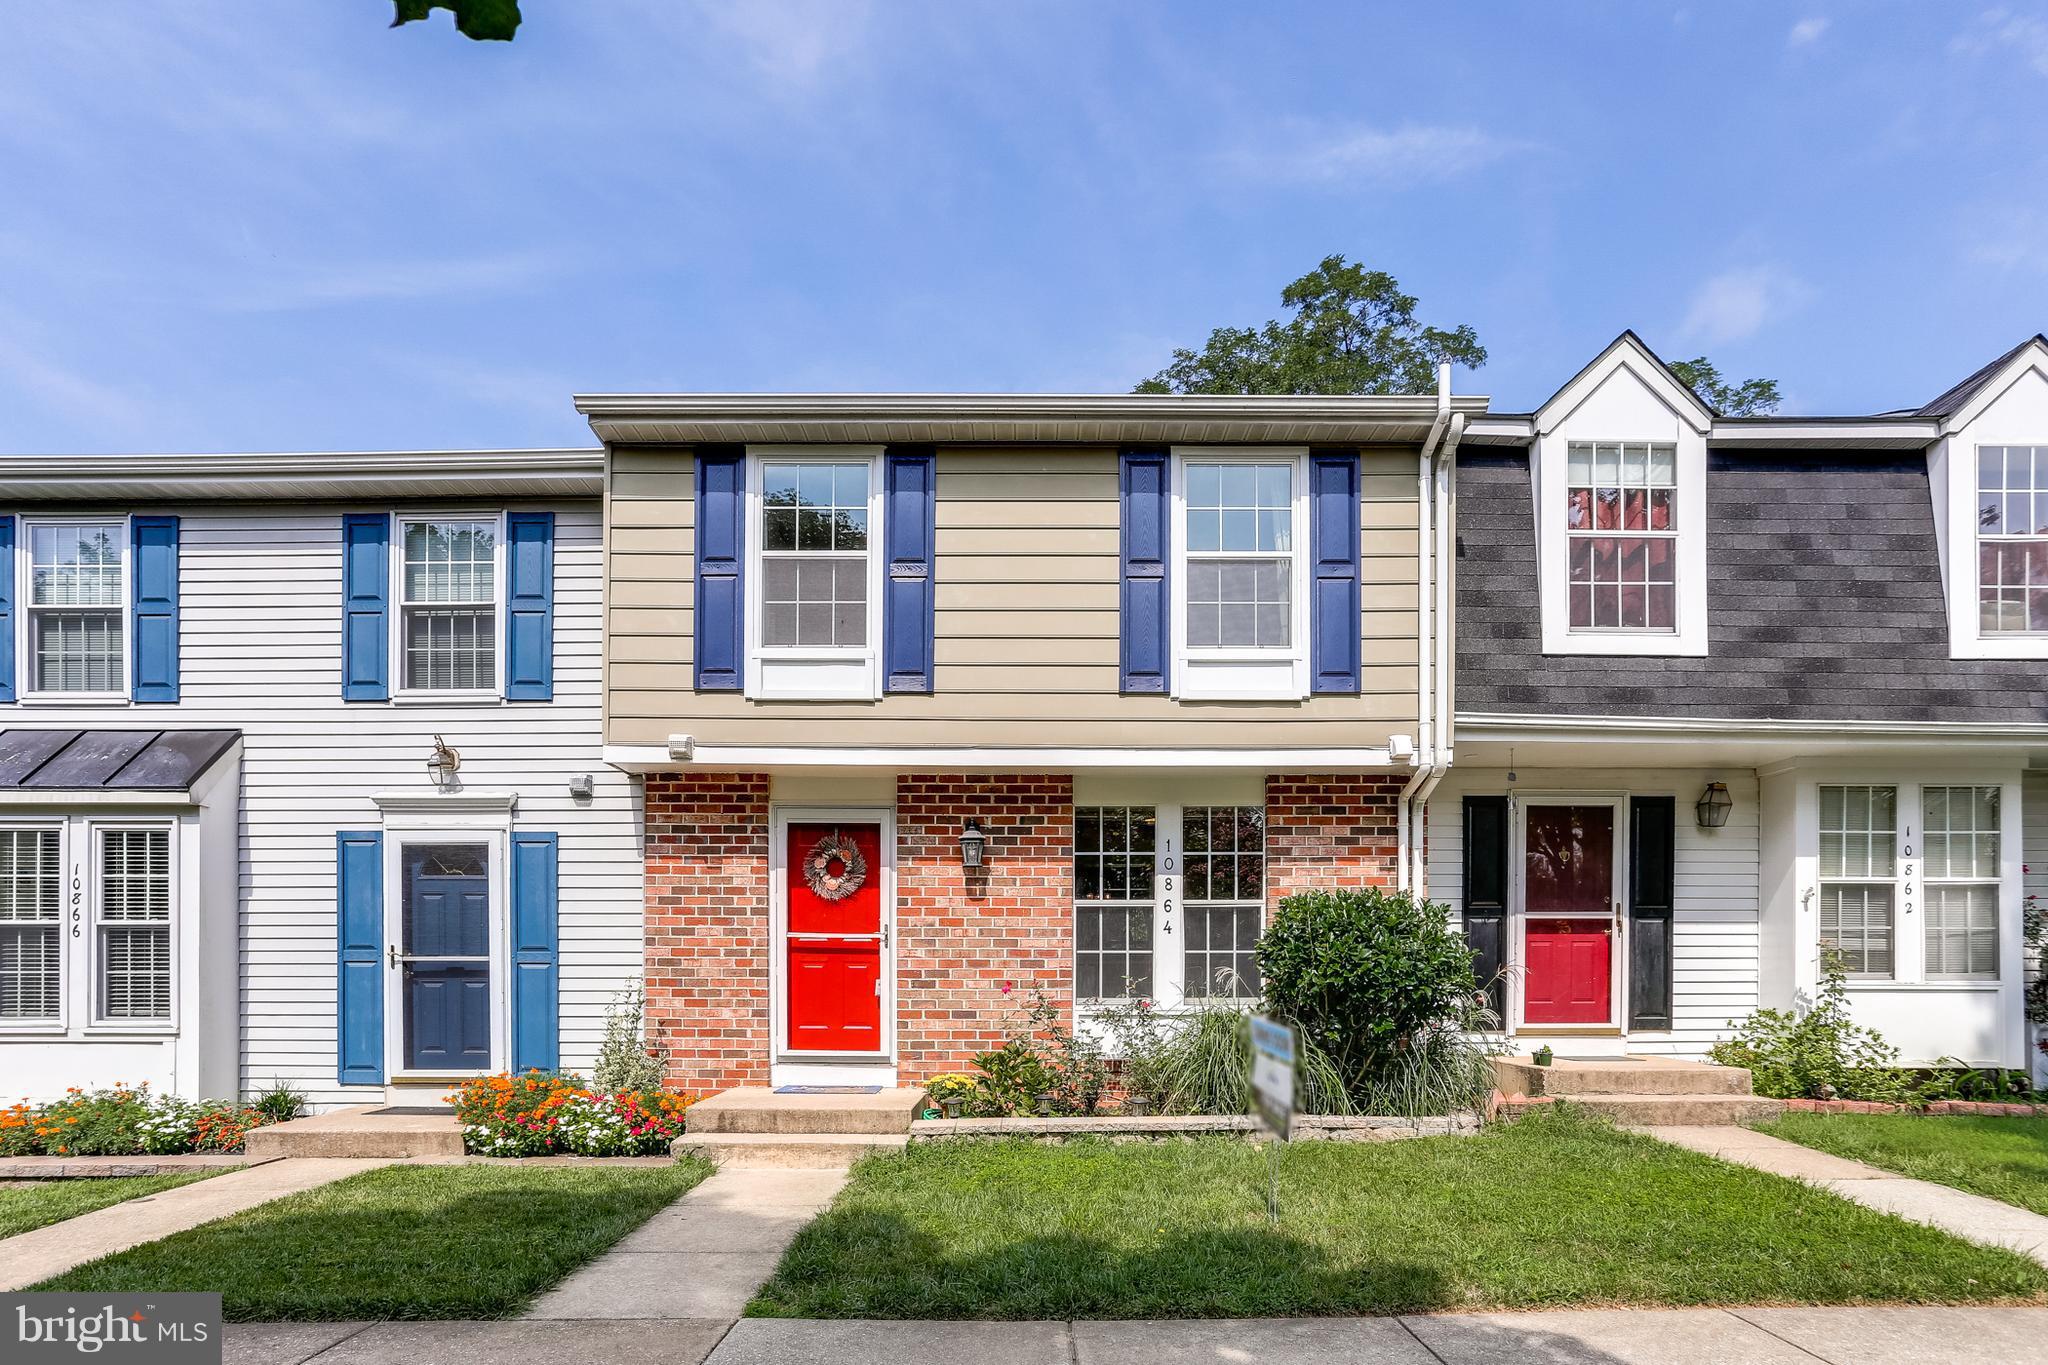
(445, 955)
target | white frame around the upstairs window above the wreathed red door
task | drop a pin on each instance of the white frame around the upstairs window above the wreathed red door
(804, 672)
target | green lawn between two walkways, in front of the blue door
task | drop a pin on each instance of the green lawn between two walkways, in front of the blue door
(400, 1243)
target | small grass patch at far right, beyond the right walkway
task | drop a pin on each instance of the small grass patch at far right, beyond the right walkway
(2006, 1159)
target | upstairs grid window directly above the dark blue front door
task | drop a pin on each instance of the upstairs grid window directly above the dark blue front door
(450, 605)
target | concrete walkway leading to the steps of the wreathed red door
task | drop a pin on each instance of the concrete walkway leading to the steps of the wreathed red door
(703, 1256)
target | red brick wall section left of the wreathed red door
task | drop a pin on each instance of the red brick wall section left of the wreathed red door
(708, 928)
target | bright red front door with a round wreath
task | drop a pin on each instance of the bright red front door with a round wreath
(835, 938)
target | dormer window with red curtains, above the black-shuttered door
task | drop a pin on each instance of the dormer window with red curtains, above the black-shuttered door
(1621, 527)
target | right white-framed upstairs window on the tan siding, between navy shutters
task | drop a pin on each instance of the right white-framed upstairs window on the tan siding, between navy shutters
(1242, 554)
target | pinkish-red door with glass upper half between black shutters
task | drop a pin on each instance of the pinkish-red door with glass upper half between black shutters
(1568, 944)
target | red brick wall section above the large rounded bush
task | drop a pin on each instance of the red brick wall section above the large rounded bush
(1328, 832)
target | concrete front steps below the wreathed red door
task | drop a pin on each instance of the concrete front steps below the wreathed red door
(753, 1127)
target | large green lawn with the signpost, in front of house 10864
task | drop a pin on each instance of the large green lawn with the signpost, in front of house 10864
(1545, 1213)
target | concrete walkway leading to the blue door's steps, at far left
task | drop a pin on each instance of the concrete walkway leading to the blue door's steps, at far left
(50, 1251)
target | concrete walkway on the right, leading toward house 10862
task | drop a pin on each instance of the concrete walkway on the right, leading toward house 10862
(1969, 1217)
